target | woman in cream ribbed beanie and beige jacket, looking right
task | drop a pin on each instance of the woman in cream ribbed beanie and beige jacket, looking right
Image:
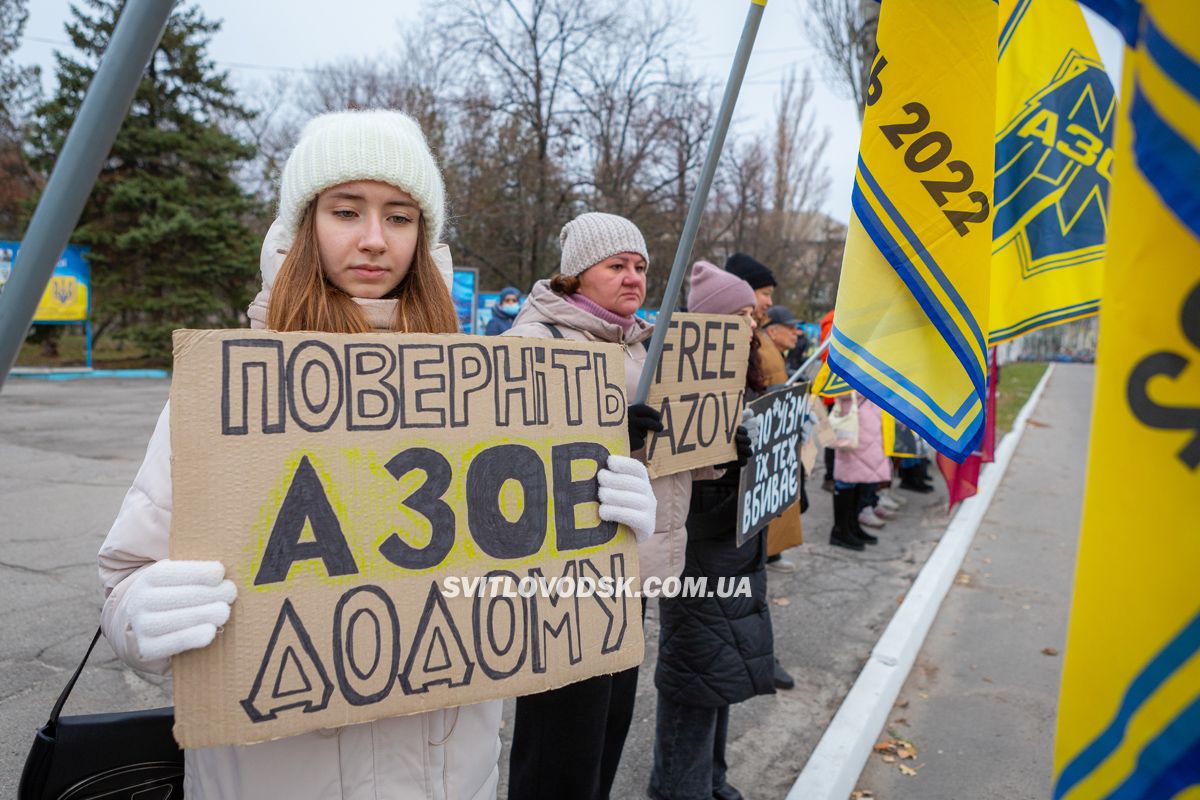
(567, 743)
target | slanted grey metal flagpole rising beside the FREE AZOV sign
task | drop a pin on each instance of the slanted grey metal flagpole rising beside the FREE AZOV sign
(683, 252)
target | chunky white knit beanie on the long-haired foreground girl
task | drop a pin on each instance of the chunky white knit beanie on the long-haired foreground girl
(364, 146)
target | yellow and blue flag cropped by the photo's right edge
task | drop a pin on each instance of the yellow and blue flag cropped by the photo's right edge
(1130, 705)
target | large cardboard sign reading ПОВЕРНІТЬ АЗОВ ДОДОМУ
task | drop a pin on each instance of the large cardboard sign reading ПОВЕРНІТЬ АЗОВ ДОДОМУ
(395, 510)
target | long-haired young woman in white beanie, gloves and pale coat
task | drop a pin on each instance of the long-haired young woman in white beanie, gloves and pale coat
(362, 206)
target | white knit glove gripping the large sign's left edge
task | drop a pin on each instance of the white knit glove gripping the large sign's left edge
(177, 606)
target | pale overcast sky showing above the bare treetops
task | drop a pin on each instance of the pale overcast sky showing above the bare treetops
(266, 38)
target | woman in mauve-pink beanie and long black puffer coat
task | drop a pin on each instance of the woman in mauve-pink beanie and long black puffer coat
(713, 652)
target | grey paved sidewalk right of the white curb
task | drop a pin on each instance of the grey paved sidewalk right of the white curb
(980, 703)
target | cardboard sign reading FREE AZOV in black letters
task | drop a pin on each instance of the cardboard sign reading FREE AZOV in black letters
(699, 388)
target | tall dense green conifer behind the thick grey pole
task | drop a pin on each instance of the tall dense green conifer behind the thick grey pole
(170, 230)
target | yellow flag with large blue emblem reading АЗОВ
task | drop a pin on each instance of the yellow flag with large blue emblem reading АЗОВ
(1055, 111)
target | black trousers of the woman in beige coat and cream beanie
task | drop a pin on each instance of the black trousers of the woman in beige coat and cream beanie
(567, 743)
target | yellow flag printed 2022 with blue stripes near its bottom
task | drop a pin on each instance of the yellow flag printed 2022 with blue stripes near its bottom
(913, 304)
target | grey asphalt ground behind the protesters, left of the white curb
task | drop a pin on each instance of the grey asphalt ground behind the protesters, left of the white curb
(70, 450)
